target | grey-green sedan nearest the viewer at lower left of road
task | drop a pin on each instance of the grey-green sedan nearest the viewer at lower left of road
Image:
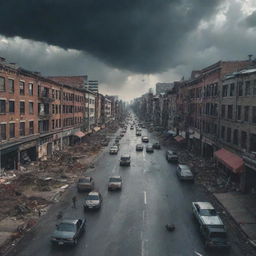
(68, 232)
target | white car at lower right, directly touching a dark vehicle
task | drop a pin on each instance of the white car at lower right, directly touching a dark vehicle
(205, 214)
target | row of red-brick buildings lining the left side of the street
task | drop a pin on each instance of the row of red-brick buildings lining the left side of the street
(40, 115)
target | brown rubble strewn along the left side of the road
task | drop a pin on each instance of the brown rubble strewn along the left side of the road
(27, 194)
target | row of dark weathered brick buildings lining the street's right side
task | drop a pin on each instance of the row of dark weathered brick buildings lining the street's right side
(213, 113)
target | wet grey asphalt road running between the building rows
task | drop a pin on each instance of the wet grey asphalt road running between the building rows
(130, 222)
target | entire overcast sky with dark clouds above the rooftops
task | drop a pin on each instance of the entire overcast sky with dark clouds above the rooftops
(128, 45)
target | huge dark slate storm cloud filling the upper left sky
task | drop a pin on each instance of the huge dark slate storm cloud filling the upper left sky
(136, 35)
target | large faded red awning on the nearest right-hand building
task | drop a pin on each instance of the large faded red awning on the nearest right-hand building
(230, 160)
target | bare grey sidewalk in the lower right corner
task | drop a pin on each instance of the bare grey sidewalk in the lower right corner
(242, 207)
